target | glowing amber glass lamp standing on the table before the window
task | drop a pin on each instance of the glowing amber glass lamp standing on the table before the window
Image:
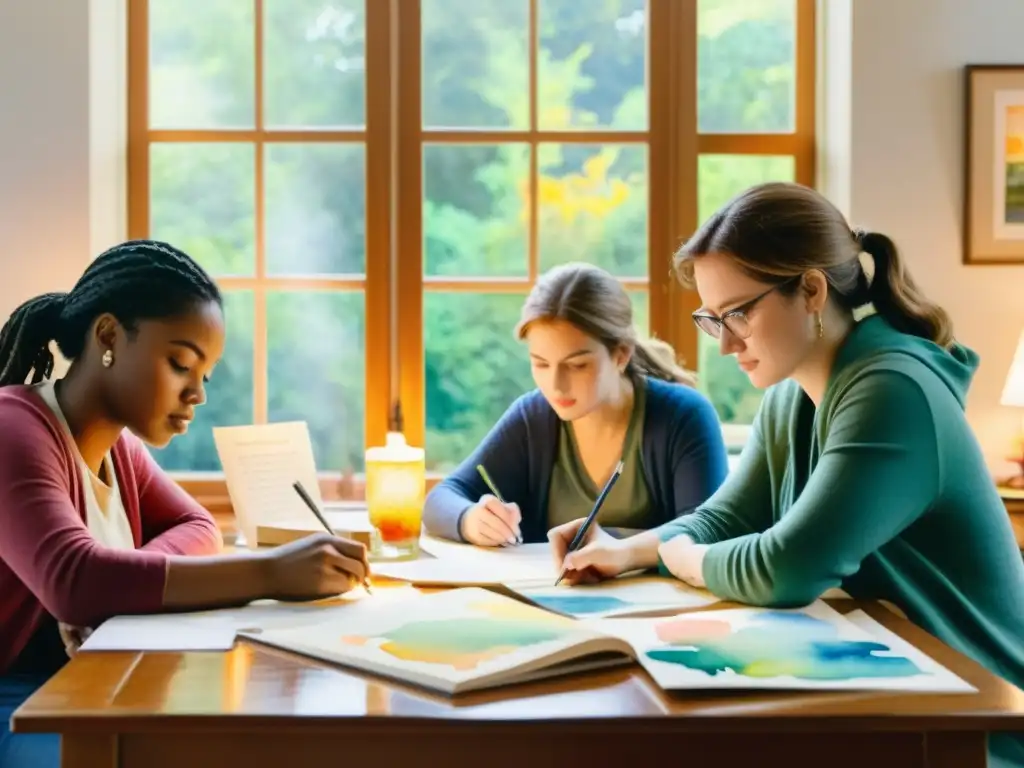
(396, 491)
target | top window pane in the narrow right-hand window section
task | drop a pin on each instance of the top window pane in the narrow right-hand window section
(747, 66)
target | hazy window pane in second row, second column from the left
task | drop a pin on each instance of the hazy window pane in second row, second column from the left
(316, 209)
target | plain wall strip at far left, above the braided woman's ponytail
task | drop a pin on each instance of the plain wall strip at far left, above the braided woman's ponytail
(45, 147)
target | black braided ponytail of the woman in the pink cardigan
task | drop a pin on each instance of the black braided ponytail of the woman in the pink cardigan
(26, 337)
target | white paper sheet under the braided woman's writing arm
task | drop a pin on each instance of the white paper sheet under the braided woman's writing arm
(210, 630)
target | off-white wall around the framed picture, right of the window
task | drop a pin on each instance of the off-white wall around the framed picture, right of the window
(895, 164)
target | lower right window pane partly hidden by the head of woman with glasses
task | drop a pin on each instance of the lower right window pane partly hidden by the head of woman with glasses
(720, 178)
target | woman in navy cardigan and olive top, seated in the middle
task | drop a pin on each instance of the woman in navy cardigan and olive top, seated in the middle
(604, 397)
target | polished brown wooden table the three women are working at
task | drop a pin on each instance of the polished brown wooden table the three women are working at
(254, 707)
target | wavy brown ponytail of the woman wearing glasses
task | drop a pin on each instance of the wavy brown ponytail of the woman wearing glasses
(897, 296)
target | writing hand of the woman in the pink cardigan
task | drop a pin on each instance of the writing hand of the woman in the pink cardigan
(317, 567)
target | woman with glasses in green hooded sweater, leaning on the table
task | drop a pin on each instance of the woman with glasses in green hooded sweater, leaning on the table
(863, 473)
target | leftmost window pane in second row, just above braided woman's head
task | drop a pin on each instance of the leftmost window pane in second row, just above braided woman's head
(202, 200)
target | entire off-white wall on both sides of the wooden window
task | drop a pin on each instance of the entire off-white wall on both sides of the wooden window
(892, 130)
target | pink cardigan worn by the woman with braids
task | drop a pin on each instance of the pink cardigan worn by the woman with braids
(50, 563)
